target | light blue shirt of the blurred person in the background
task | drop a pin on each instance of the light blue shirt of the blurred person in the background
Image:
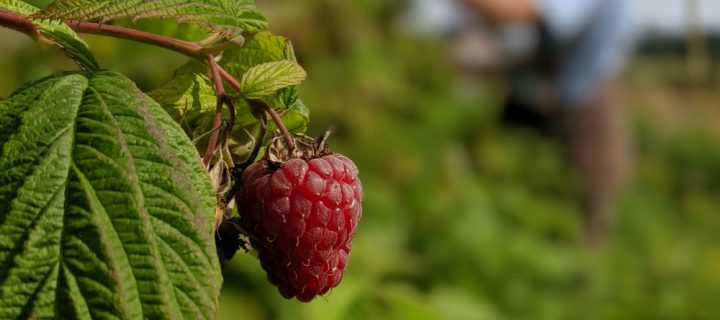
(594, 39)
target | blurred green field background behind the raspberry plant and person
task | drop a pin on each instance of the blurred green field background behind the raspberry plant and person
(466, 217)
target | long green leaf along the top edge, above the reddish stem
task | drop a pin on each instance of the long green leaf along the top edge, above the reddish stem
(230, 17)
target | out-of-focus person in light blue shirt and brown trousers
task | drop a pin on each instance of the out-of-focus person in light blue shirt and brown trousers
(567, 83)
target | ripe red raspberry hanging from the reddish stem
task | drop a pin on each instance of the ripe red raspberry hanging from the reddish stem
(301, 217)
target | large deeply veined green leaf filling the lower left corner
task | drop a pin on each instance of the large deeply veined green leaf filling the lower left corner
(105, 209)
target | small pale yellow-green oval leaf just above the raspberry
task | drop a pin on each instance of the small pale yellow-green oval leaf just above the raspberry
(267, 78)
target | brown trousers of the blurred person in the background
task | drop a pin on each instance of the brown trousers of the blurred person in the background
(596, 137)
